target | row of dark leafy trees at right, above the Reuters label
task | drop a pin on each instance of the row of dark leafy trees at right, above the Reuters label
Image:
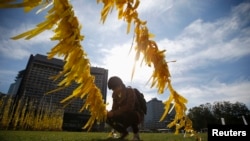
(211, 114)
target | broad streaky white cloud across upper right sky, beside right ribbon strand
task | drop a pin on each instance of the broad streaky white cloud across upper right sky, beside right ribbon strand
(202, 43)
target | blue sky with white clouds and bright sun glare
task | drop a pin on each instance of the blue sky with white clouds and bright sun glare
(209, 39)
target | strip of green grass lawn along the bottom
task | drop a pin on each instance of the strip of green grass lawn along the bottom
(86, 136)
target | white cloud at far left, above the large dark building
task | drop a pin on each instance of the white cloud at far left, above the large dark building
(21, 48)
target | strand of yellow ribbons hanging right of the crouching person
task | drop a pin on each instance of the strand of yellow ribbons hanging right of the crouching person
(151, 55)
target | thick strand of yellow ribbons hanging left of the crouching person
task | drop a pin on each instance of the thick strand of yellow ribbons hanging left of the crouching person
(77, 66)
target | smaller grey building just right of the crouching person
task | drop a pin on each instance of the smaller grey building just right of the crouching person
(155, 109)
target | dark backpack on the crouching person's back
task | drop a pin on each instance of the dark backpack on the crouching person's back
(142, 104)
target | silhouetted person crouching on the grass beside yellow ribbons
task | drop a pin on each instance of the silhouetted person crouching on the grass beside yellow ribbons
(123, 113)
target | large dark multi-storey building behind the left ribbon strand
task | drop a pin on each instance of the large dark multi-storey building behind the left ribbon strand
(35, 83)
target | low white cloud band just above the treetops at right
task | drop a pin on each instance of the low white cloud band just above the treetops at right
(217, 91)
